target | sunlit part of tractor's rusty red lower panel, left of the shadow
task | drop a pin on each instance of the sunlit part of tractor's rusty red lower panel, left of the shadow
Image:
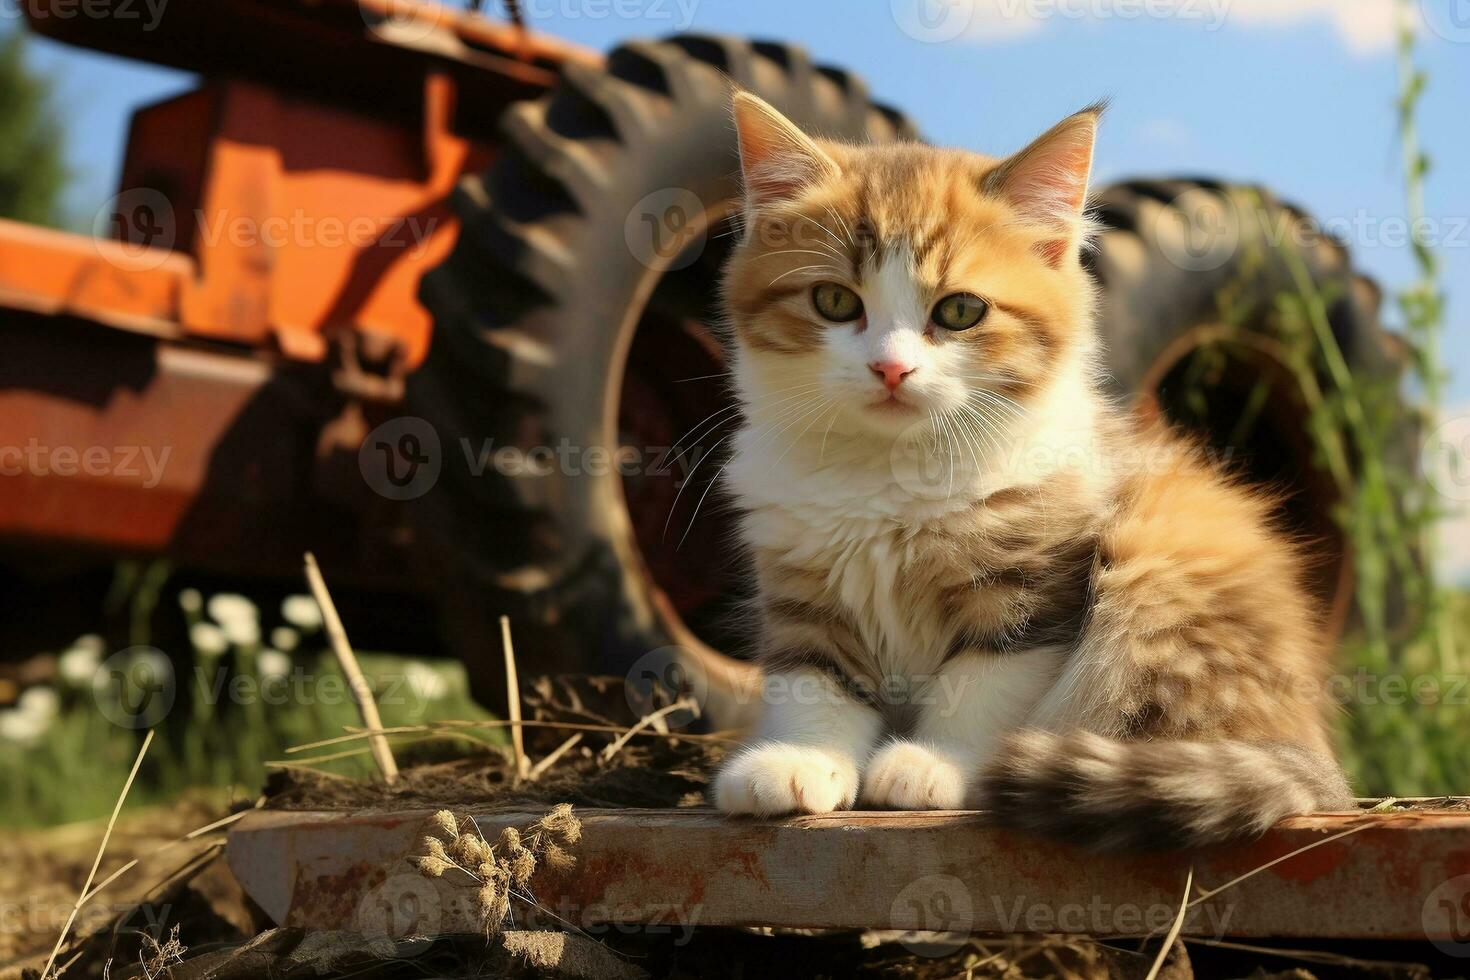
(93, 446)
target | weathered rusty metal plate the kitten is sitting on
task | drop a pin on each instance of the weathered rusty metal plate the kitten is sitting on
(1397, 876)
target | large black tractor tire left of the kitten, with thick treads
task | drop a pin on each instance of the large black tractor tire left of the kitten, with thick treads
(574, 318)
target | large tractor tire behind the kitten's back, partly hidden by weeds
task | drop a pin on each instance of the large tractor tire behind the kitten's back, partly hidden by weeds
(1191, 274)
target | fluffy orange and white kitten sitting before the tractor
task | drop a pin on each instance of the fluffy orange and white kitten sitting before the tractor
(981, 586)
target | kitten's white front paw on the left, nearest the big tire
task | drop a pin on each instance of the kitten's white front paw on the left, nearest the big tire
(770, 781)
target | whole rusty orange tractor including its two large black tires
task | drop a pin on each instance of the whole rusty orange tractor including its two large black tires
(434, 296)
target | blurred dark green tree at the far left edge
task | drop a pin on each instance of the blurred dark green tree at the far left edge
(33, 170)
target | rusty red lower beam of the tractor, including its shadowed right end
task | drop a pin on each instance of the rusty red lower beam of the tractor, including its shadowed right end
(118, 443)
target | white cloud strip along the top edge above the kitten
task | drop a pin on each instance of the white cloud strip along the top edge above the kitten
(1365, 26)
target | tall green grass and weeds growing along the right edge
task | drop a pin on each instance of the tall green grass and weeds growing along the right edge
(1412, 746)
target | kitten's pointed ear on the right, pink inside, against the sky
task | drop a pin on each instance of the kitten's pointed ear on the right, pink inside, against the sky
(1047, 181)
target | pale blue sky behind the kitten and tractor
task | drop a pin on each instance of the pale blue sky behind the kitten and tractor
(1296, 95)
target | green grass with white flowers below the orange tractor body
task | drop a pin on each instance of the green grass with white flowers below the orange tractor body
(67, 750)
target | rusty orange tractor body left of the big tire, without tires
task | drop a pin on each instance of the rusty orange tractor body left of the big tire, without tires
(270, 233)
